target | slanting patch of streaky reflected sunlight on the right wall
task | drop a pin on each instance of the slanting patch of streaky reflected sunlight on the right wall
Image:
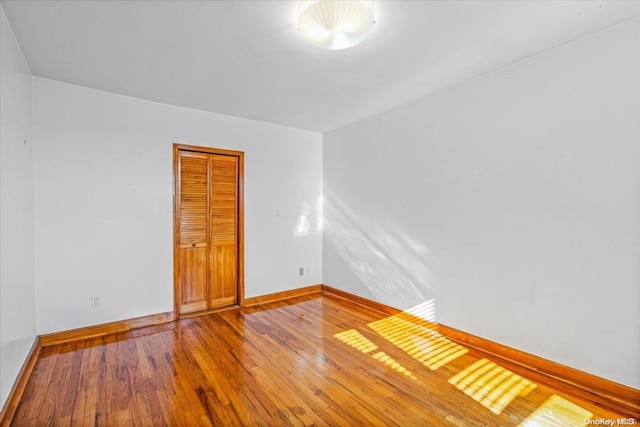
(390, 264)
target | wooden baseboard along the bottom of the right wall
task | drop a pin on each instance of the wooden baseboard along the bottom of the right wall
(602, 392)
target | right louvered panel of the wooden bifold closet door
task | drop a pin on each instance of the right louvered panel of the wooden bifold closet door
(223, 194)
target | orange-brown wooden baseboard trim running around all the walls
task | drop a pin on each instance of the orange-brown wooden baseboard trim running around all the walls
(603, 392)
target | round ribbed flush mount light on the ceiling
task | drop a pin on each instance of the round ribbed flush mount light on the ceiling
(335, 24)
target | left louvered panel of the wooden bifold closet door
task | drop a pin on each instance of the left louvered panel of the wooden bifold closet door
(193, 231)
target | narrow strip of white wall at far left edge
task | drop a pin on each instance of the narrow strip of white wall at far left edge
(17, 284)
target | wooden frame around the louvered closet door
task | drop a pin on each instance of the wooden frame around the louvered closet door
(177, 147)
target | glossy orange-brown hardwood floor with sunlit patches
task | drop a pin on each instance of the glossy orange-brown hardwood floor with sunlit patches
(313, 360)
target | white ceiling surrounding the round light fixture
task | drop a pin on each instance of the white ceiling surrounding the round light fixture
(246, 59)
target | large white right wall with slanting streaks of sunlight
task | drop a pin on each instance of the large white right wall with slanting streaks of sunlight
(512, 200)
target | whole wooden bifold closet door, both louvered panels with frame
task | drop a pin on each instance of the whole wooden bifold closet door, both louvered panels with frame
(208, 243)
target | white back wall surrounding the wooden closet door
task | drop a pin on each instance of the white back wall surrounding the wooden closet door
(103, 212)
